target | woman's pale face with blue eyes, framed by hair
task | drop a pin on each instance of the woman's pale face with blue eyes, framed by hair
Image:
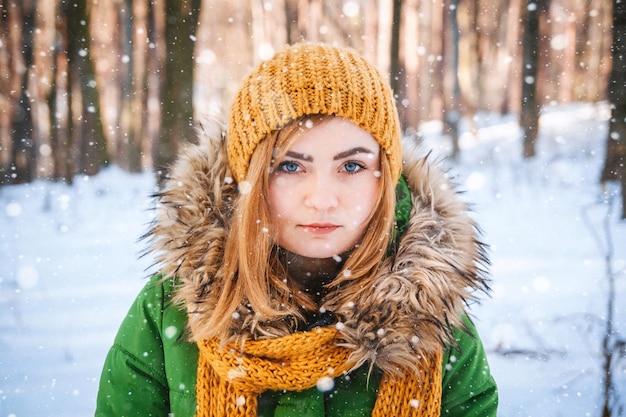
(322, 192)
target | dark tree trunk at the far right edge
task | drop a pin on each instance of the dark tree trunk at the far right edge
(615, 162)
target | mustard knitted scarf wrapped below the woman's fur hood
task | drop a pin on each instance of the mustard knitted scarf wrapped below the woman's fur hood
(229, 379)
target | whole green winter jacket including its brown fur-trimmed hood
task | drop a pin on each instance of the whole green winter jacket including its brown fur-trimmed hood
(418, 300)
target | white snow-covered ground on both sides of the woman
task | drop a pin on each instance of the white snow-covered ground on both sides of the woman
(69, 269)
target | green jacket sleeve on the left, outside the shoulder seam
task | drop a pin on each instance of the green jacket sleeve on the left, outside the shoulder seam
(133, 380)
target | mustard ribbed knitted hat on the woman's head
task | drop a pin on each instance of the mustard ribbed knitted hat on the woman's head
(306, 79)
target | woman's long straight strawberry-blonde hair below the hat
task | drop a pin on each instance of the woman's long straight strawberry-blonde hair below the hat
(254, 275)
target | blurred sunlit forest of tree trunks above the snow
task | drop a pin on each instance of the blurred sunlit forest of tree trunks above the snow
(89, 83)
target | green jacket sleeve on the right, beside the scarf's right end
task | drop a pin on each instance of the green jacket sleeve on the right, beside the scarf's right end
(469, 389)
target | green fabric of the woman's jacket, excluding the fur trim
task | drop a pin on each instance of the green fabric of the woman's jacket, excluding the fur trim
(151, 371)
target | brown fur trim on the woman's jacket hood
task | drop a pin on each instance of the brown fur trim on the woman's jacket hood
(420, 294)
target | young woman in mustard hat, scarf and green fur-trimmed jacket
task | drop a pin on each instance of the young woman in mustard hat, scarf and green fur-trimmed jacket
(307, 266)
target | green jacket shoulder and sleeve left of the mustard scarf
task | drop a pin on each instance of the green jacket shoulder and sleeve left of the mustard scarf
(150, 369)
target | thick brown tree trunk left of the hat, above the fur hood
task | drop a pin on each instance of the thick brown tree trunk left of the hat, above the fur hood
(177, 91)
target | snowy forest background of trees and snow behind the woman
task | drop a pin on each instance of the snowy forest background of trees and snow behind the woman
(523, 100)
